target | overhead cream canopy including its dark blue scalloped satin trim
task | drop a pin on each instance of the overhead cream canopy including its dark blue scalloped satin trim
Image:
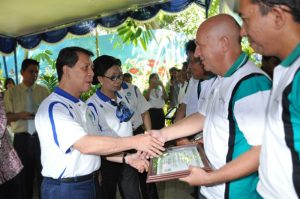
(27, 23)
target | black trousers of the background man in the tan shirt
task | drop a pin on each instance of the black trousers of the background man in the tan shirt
(28, 148)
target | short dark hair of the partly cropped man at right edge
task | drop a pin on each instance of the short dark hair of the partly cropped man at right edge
(293, 5)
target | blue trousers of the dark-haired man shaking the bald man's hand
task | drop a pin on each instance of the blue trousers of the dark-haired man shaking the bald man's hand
(54, 189)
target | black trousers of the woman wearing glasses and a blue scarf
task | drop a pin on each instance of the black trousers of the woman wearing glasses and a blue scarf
(125, 176)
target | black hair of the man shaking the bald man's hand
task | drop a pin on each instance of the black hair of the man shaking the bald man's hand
(68, 57)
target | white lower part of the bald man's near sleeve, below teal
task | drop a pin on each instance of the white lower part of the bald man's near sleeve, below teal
(250, 114)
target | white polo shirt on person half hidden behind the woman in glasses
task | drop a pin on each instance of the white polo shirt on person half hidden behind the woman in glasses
(137, 102)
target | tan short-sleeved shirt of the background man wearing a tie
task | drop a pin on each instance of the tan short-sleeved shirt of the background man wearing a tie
(15, 102)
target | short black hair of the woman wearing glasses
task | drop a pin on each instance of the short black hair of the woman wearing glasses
(102, 64)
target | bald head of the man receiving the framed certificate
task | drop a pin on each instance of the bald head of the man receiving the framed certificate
(218, 43)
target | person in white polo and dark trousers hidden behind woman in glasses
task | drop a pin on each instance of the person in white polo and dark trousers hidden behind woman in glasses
(141, 121)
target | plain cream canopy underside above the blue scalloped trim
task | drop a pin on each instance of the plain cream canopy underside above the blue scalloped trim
(25, 17)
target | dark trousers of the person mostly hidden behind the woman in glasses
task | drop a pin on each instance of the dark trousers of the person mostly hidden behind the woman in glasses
(148, 190)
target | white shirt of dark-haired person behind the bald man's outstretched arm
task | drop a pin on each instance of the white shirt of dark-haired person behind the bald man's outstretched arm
(191, 97)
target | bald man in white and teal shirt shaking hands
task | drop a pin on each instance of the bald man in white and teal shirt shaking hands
(232, 116)
